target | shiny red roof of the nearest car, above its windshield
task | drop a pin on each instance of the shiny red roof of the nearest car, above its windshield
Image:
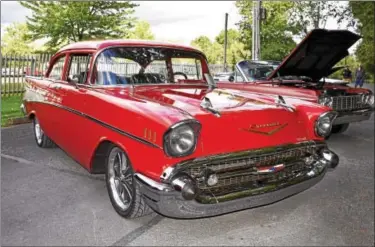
(101, 44)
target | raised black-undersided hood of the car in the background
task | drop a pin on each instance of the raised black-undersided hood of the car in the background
(315, 56)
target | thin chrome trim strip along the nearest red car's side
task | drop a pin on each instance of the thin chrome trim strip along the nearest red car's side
(127, 134)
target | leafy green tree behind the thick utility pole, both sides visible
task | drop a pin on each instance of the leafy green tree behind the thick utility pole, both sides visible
(276, 34)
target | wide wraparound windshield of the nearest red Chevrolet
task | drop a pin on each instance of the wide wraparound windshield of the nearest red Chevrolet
(147, 65)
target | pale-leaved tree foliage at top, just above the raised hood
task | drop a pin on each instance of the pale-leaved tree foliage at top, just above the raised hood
(307, 15)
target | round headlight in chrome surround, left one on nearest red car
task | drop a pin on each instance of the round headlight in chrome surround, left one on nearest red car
(181, 138)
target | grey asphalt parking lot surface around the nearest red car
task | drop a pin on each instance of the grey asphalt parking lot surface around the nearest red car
(48, 199)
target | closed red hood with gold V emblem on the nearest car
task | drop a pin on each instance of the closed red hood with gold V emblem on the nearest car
(242, 115)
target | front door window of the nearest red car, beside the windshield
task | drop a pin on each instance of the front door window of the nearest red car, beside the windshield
(79, 67)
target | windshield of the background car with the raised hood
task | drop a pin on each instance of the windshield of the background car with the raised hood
(255, 71)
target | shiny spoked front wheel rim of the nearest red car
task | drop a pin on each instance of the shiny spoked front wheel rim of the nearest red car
(120, 178)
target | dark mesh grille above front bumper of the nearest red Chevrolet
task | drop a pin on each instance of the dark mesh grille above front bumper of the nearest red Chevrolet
(240, 171)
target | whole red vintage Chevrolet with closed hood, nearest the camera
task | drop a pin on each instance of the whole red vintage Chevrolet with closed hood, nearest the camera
(179, 146)
